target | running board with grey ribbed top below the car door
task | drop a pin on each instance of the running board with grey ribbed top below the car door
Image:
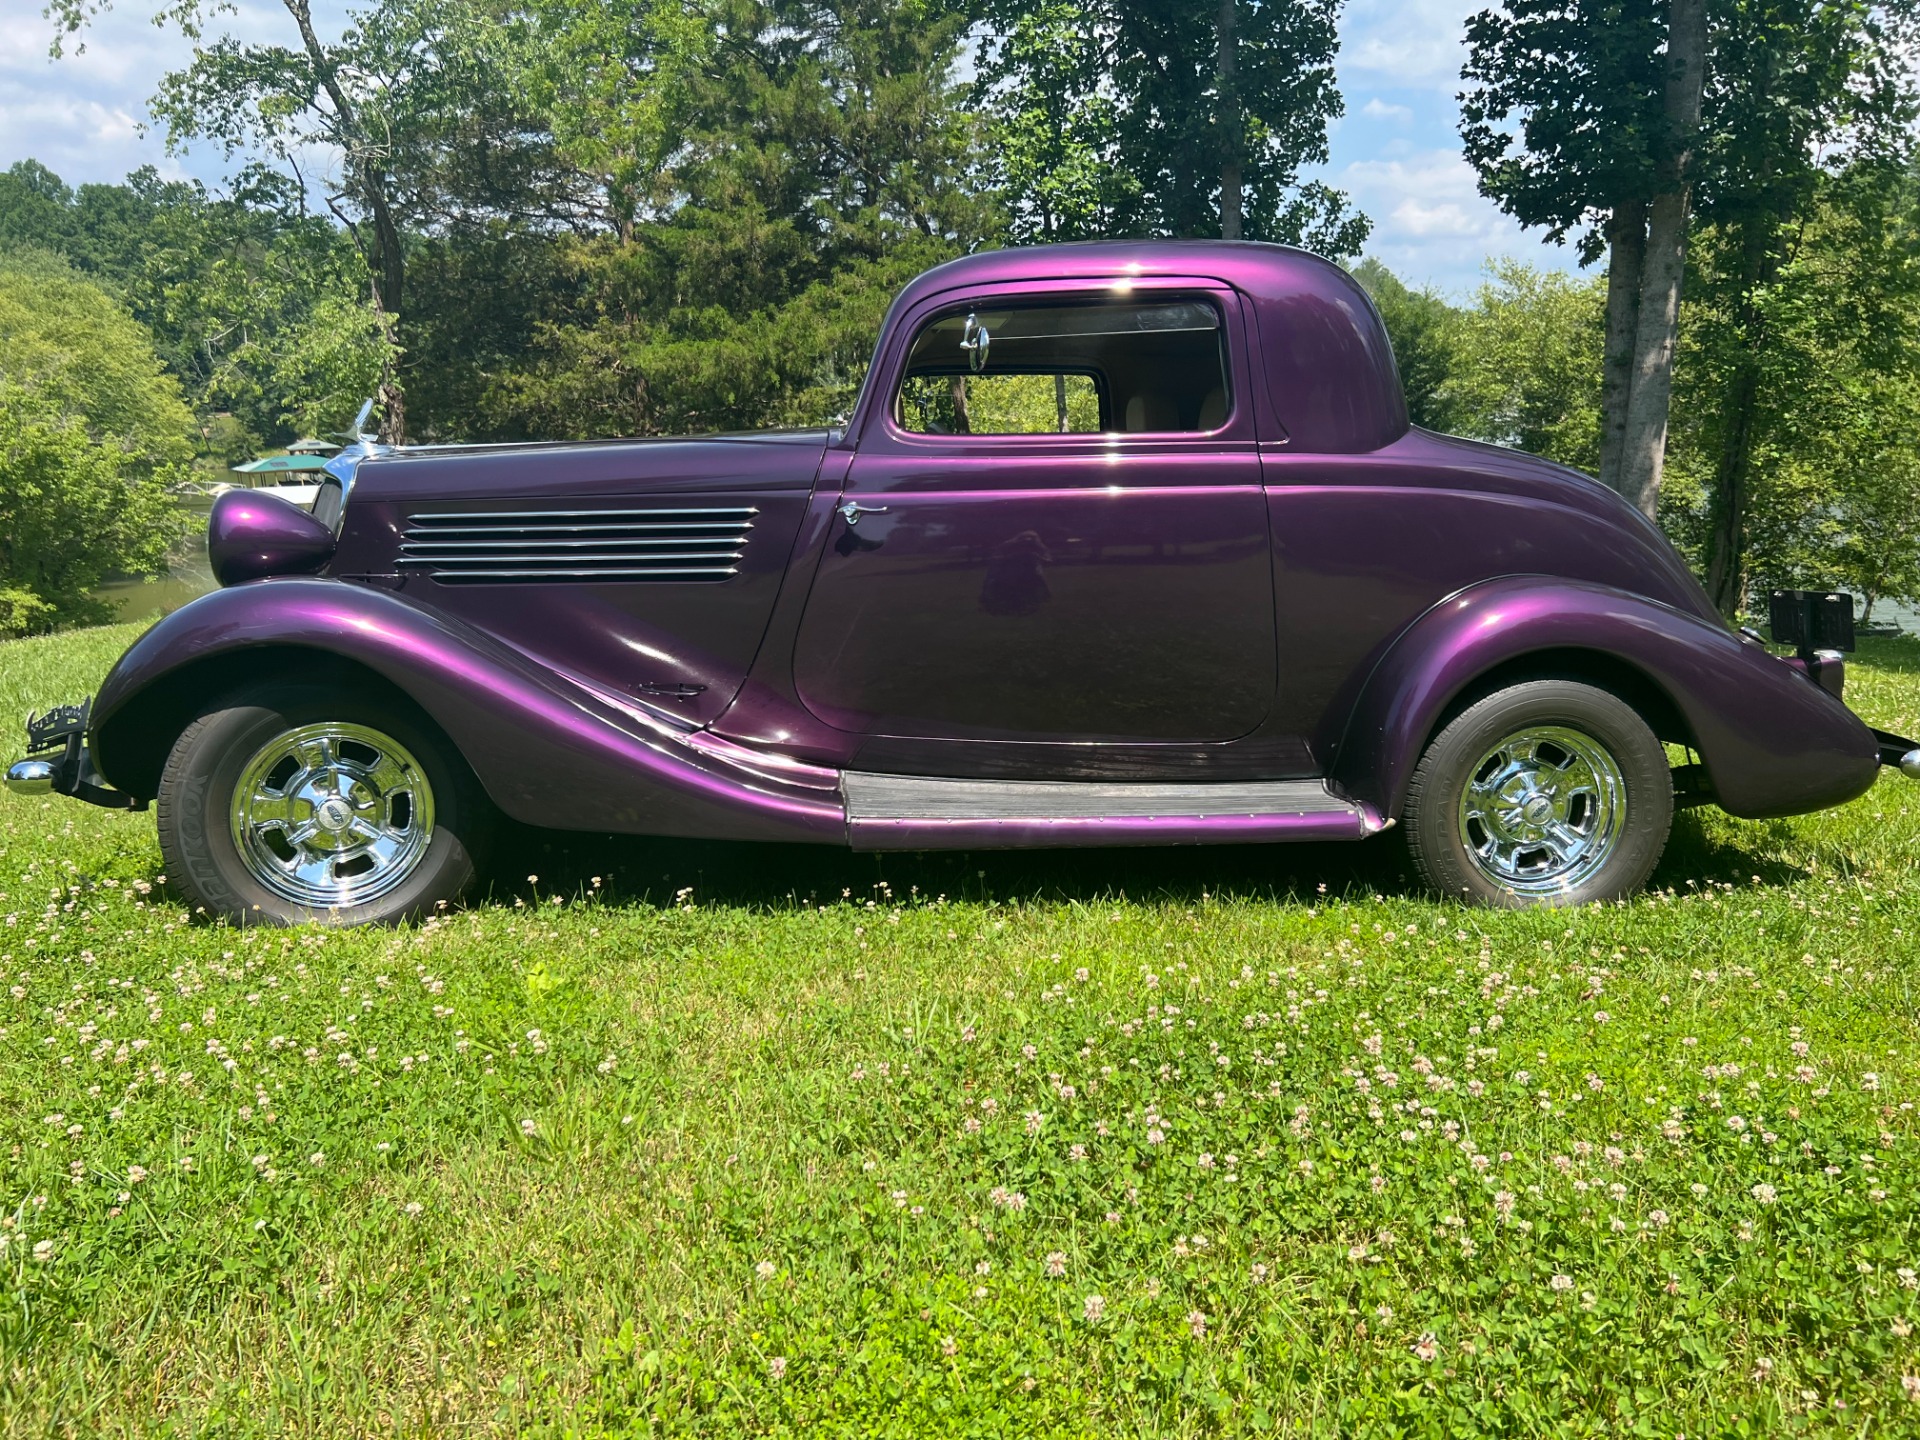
(911, 813)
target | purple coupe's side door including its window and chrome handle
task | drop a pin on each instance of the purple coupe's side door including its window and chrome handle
(1053, 531)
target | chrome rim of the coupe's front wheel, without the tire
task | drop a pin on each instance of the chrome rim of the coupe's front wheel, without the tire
(333, 815)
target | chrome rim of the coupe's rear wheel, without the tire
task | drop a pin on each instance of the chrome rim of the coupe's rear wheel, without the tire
(1543, 811)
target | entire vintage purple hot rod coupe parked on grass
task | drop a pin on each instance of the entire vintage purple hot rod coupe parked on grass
(1124, 544)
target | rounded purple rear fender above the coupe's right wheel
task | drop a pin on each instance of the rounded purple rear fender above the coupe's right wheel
(1773, 742)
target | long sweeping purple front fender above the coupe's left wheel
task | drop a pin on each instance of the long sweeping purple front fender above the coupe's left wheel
(548, 750)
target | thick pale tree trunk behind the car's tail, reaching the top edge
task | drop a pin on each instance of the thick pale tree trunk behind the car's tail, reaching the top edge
(1644, 441)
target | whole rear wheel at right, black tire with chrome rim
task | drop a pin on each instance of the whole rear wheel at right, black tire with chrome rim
(1545, 794)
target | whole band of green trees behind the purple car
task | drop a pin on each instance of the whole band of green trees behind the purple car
(562, 220)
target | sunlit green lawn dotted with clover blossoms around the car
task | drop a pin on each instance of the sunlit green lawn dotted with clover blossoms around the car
(744, 1140)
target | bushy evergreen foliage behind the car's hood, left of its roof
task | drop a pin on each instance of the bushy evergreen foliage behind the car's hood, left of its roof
(819, 162)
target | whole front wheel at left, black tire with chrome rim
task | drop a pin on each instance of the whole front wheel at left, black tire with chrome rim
(291, 805)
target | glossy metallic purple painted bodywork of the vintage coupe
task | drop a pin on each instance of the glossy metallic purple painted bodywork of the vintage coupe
(1299, 594)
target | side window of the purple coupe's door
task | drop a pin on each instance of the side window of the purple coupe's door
(1084, 368)
